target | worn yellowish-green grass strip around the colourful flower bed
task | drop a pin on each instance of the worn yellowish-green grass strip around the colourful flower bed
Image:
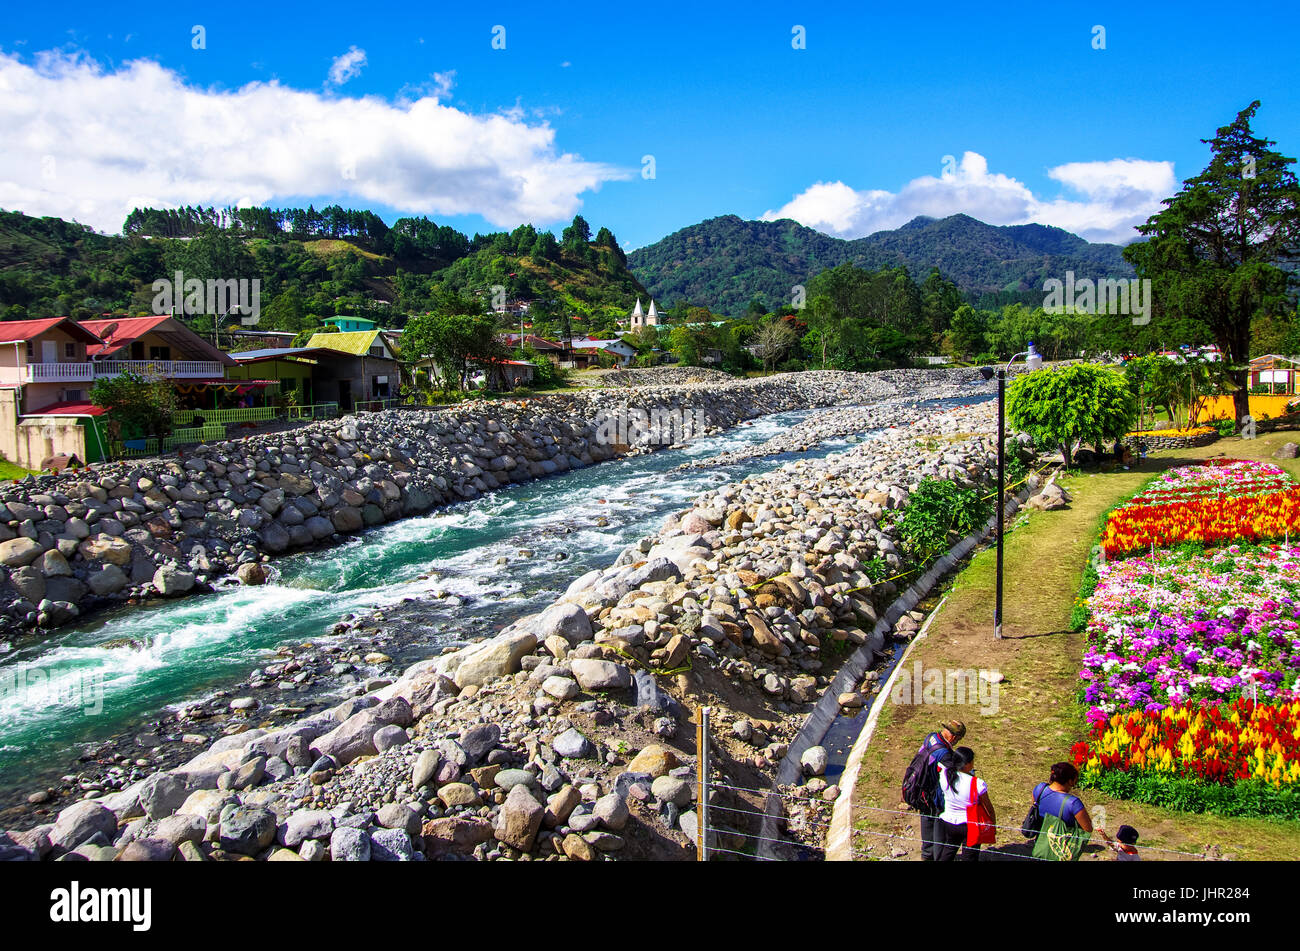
(1038, 718)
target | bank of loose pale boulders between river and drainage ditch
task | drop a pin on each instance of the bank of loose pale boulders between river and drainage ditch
(566, 736)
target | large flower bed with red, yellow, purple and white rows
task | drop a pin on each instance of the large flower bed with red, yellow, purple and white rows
(1193, 652)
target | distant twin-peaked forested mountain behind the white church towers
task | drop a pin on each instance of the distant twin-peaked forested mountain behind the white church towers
(725, 263)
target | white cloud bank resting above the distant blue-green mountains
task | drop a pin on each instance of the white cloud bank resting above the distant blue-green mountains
(1111, 198)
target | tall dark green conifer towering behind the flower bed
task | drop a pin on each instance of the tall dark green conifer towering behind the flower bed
(1219, 251)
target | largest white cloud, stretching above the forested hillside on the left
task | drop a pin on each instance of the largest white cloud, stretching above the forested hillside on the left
(86, 144)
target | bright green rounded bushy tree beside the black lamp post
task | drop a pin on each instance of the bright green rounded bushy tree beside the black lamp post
(1072, 406)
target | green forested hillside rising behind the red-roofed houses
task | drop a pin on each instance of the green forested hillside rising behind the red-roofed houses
(311, 264)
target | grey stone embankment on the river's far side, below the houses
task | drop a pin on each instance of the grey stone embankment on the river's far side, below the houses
(167, 527)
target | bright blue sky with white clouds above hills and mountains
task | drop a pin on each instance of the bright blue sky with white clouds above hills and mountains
(643, 118)
